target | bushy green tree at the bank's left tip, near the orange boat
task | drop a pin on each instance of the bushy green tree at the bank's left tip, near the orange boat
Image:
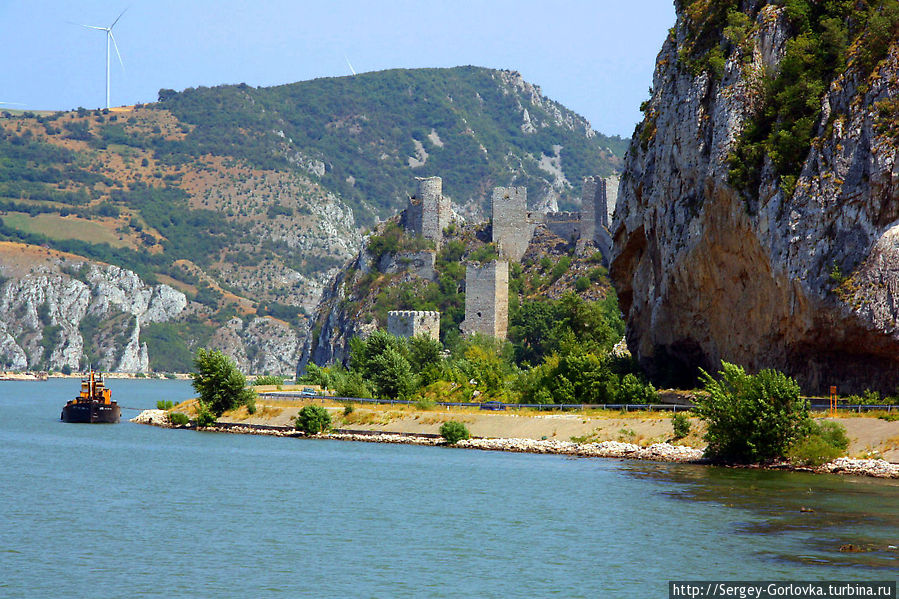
(221, 385)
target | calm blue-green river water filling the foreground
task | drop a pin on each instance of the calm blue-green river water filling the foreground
(131, 511)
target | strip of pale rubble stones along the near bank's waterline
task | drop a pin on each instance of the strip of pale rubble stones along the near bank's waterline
(660, 452)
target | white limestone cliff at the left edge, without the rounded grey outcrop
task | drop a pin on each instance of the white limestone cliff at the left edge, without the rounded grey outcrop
(48, 308)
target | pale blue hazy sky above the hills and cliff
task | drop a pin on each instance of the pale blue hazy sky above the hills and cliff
(596, 57)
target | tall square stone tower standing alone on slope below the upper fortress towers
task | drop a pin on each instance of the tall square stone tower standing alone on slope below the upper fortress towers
(487, 299)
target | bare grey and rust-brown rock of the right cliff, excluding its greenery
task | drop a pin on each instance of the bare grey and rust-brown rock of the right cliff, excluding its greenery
(703, 274)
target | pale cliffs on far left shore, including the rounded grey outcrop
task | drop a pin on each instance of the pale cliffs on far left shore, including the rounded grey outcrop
(61, 311)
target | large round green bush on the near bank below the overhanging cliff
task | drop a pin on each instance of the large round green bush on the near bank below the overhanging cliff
(750, 418)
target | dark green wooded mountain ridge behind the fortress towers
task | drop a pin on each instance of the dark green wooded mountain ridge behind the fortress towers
(364, 129)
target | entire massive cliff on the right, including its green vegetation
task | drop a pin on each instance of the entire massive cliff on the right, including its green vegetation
(795, 266)
